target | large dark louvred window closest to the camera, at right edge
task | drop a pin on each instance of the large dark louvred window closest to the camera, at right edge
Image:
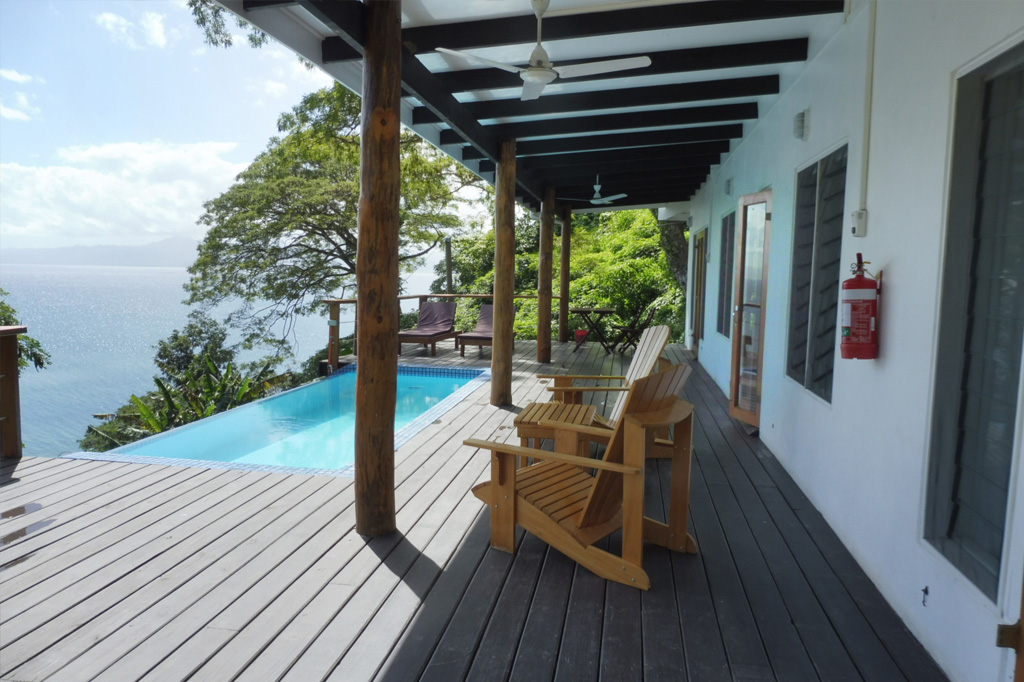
(982, 326)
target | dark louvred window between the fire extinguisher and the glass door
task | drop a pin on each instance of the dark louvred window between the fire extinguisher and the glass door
(815, 289)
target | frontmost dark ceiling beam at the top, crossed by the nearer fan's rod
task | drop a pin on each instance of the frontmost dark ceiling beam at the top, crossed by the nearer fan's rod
(523, 29)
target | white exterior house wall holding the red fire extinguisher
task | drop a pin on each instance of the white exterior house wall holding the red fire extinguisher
(863, 460)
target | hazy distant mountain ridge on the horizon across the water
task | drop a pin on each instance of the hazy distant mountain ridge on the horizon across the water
(173, 252)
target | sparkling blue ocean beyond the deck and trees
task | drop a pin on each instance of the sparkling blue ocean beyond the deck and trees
(101, 326)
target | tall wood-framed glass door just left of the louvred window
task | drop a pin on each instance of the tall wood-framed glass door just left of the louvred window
(748, 314)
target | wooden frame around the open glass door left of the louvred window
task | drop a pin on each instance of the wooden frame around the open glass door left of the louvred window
(763, 197)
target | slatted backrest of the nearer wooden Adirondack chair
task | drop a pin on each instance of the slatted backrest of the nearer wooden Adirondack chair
(647, 395)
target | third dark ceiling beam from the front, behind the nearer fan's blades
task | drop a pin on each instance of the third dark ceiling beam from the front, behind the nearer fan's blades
(620, 99)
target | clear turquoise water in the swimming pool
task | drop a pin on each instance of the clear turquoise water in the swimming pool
(311, 428)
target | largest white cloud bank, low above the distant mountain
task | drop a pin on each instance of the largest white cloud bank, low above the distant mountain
(115, 194)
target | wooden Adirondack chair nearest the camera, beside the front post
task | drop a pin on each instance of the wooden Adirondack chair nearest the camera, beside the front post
(562, 503)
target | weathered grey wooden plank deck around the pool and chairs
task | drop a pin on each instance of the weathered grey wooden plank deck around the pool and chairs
(127, 572)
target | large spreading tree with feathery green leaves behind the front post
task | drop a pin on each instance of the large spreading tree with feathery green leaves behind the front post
(284, 236)
